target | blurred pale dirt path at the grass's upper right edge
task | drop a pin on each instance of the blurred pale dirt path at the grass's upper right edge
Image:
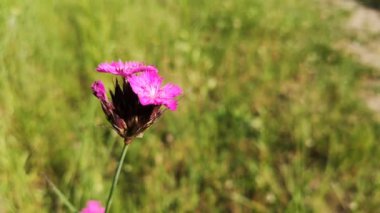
(363, 42)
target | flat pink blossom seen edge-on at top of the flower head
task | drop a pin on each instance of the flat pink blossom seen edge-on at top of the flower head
(125, 69)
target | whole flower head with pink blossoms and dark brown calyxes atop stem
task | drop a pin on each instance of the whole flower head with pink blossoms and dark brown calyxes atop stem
(135, 103)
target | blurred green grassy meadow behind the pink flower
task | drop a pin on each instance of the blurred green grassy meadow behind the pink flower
(271, 119)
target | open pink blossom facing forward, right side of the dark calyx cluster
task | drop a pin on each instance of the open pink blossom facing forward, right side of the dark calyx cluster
(147, 86)
